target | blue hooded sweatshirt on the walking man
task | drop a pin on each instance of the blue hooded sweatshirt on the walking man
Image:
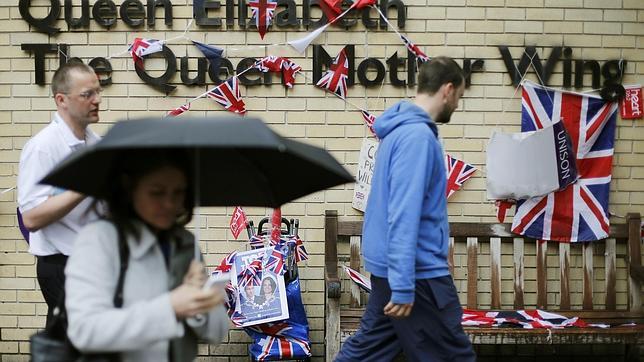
(405, 232)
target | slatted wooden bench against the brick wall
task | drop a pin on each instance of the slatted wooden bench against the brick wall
(597, 282)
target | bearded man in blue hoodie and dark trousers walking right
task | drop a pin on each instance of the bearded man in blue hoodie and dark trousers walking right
(413, 306)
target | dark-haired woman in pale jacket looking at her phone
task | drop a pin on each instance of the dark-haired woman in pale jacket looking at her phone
(149, 201)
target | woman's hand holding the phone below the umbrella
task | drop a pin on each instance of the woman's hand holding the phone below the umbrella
(188, 300)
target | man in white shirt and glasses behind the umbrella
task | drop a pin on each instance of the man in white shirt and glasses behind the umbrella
(53, 216)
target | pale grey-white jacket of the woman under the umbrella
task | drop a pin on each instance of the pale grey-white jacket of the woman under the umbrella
(145, 327)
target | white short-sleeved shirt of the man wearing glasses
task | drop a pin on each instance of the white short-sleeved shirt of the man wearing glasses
(39, 156)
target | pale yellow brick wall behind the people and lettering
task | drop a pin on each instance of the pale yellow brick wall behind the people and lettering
(596, 29)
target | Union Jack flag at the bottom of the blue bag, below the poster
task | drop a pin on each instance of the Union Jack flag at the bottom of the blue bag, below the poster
(278, 343)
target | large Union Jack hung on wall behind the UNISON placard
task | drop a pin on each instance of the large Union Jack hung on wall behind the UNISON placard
(579, 212)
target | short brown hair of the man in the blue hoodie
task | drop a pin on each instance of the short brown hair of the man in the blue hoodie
(438, 71)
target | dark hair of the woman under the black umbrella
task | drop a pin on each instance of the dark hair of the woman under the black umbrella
(126, 173)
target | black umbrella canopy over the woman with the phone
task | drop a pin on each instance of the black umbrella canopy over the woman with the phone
(238, 161)
